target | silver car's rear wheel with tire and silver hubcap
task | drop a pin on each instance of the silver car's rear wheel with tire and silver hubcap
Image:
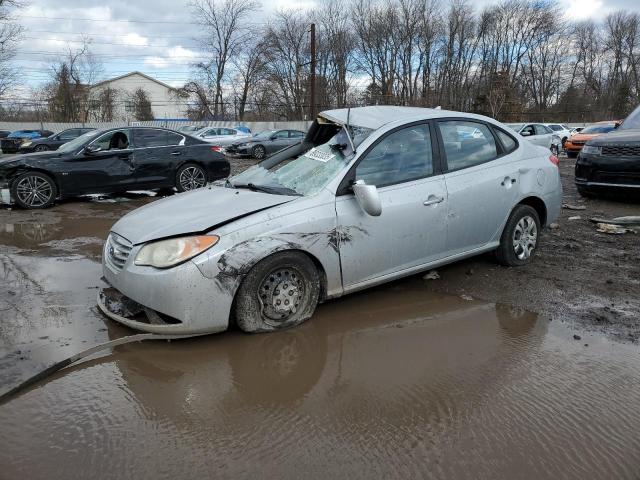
(520, 237)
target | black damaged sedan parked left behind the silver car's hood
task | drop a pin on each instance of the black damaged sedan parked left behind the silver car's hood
(110, 161)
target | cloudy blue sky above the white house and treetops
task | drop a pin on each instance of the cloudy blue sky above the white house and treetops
(158, 37)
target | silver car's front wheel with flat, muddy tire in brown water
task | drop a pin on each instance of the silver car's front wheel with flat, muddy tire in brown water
(279, 292)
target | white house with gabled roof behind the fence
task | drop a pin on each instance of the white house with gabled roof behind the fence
(165, 102)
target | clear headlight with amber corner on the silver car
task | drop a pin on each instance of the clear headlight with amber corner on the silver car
(167, 253)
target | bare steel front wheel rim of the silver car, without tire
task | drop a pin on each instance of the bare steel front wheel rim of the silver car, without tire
(280, 295)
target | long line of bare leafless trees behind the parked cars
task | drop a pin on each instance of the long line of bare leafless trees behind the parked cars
(512, 60)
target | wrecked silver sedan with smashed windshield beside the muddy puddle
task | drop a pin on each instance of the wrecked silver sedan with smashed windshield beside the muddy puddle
(371, 195)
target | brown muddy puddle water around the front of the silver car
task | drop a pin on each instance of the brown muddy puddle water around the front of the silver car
(394, 382)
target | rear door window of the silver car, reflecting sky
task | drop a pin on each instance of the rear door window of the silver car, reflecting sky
(463, 150)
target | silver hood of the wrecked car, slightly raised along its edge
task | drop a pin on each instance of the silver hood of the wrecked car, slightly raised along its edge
(197, 211)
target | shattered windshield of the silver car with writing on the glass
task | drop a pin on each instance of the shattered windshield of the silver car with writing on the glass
(307, 174)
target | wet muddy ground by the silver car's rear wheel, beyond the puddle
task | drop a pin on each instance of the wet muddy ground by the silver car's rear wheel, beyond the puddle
(588, 279)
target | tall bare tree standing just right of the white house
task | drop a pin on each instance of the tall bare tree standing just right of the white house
(225, 26)
